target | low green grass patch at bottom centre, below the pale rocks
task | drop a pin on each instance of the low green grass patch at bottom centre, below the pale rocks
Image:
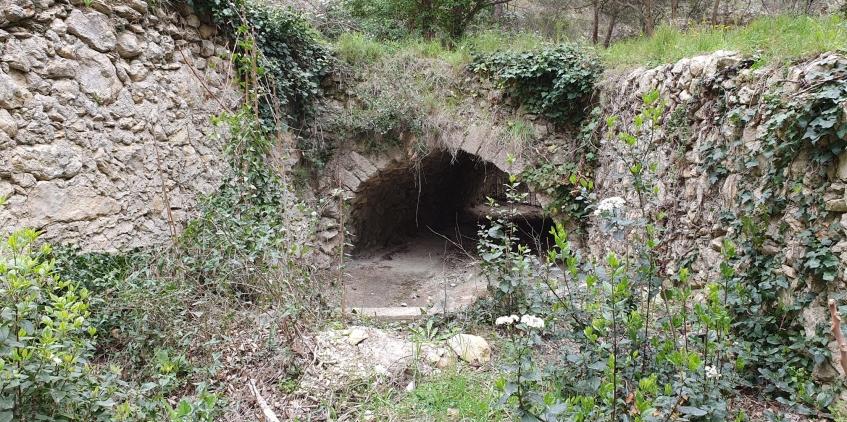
(451, 395)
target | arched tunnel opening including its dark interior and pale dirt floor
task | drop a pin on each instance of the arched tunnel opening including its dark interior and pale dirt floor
(414, 229)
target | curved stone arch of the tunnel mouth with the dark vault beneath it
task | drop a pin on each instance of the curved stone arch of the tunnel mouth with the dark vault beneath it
(407, 192)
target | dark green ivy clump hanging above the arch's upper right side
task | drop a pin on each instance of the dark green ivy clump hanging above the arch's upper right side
(552, 81)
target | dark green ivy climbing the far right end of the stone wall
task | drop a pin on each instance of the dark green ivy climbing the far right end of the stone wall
(787, 206)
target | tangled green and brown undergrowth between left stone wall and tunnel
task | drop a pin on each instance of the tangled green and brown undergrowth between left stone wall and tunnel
(162, 311)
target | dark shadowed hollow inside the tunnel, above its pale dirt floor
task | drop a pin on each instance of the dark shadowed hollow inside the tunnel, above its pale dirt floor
(443, 195)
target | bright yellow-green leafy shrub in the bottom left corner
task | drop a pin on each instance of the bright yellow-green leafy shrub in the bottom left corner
(45, 339)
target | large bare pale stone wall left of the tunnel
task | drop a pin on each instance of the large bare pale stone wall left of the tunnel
(105, 119)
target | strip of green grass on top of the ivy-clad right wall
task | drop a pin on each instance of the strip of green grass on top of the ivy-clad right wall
(774, 39)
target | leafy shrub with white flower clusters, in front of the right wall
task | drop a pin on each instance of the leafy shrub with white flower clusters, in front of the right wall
(645, 345)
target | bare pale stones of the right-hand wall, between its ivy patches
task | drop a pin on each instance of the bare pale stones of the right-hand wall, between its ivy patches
(721, 100)
